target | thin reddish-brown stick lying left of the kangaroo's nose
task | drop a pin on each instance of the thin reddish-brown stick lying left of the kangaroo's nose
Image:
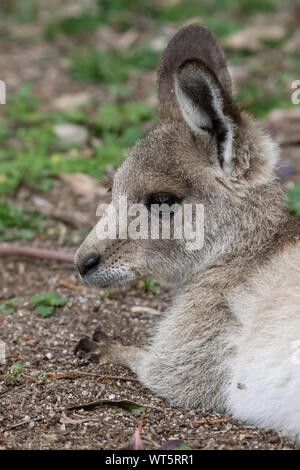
(12, 250)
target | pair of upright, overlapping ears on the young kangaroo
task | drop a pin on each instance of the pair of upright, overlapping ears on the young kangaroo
(193, 82)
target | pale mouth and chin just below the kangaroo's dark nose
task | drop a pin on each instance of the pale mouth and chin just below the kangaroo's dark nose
(108, 277)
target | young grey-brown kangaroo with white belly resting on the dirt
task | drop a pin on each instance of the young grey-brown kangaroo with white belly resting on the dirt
(231, 338)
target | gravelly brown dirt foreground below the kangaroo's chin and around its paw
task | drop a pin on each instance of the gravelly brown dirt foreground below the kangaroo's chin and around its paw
(46, 345)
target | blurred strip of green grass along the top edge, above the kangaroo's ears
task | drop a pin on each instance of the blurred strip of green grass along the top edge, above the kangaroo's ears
(223, 17)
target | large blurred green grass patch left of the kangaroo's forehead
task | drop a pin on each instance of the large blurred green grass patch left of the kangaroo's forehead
(36, 156)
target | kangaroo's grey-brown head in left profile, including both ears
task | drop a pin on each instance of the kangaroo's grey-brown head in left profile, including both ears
(203, 150)
